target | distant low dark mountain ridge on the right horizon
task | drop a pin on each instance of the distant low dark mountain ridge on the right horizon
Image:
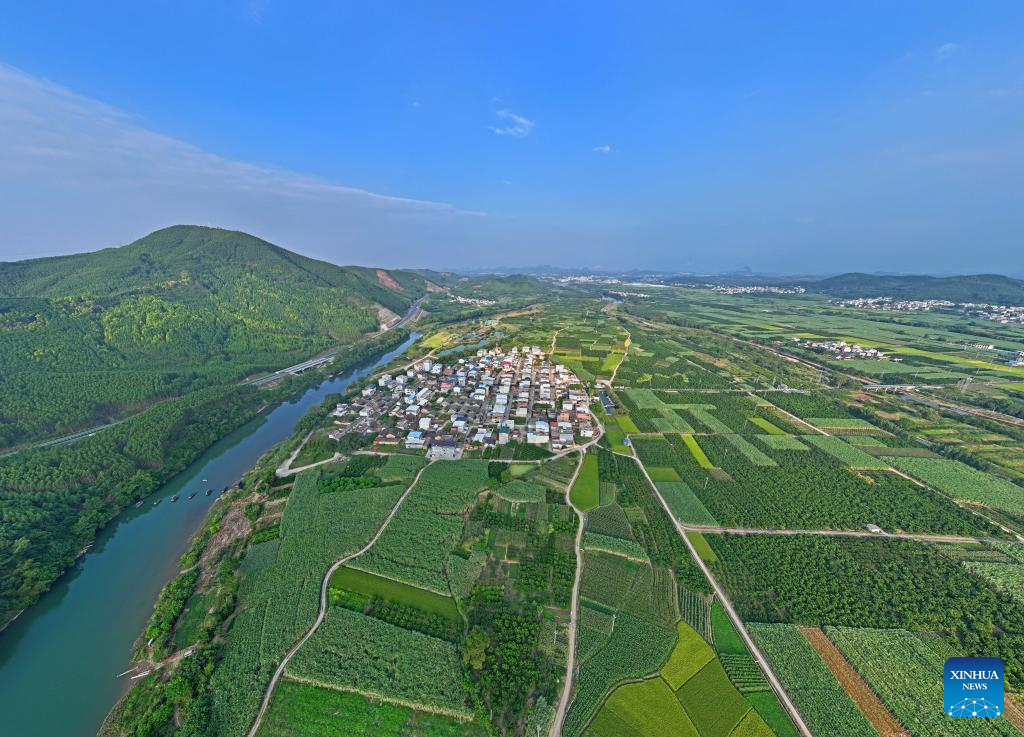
(994, 289)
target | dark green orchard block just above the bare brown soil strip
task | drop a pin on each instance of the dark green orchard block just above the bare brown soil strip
(871, 583)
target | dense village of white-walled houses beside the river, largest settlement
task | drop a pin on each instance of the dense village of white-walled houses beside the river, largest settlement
(492, 400)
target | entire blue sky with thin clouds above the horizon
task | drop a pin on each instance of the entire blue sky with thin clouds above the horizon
(784, 137)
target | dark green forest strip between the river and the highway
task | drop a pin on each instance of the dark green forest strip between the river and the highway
(55, 500)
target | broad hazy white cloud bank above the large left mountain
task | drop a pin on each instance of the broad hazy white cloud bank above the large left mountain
(75, 172)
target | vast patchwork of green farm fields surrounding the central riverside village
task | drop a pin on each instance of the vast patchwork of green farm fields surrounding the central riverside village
(457, 621)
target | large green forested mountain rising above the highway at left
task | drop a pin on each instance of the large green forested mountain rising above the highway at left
(91, 337)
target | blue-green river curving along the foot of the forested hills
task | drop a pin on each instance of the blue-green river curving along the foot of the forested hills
(60, 660)
